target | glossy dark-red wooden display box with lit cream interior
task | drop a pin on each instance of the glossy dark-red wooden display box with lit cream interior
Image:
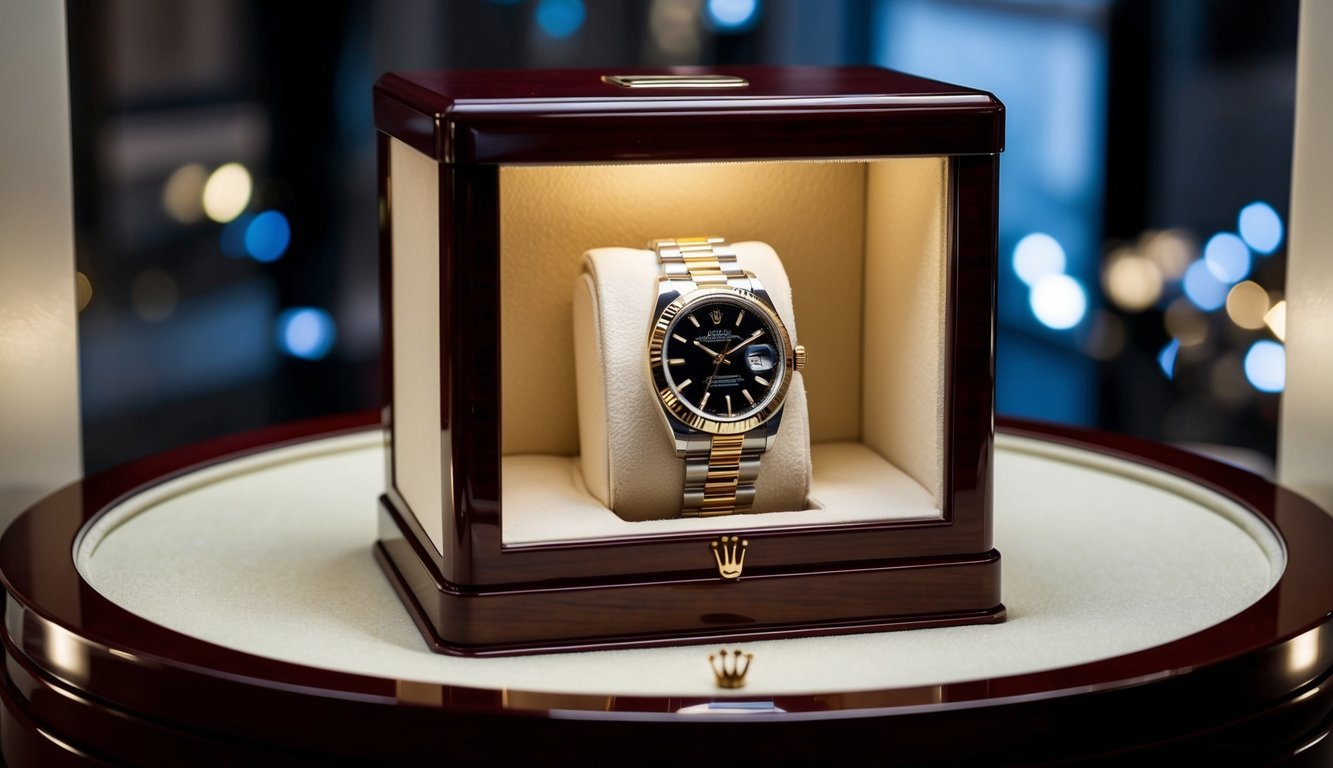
(879, 193)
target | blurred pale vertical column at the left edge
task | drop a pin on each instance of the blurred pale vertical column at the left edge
(39, 366)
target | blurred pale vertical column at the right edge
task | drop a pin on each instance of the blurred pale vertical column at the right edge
(1306, 450)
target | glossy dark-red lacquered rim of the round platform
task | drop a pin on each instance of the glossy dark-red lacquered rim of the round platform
(89, 682)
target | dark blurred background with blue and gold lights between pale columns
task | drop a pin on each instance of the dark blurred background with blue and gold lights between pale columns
(225, 170)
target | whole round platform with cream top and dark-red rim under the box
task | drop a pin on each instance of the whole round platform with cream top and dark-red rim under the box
(225, 601)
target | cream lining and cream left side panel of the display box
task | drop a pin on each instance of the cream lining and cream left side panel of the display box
(864, 245)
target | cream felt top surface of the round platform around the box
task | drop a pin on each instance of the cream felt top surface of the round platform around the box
(271, 555)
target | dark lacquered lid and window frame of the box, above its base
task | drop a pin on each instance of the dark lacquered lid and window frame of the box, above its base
(541, 110)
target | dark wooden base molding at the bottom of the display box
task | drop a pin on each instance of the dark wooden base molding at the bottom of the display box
(514, 621)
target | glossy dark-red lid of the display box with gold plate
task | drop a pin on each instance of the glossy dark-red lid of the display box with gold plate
(538, 117)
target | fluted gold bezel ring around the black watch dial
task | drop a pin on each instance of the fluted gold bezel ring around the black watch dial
(670, 399)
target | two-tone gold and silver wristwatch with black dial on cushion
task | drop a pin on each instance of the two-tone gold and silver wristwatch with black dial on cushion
(722, 363)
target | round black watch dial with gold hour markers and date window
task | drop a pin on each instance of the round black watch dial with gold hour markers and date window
(723, 359)
